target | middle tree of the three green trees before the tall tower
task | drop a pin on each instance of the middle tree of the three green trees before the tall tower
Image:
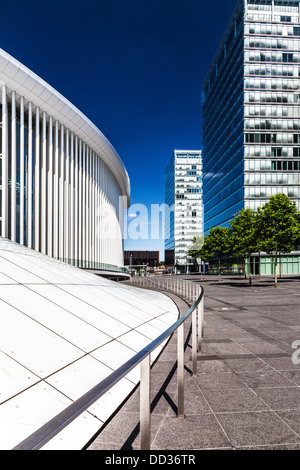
(245, 239)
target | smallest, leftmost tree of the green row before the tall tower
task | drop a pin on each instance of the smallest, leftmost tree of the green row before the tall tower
(216, 243)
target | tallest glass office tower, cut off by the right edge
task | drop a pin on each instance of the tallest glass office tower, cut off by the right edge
(251, 112)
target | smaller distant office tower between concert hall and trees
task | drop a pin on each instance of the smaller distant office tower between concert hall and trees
(183, 197)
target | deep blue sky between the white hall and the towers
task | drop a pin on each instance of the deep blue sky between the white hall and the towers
(133, 67)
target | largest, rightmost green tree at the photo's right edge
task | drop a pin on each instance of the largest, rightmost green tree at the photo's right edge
(278, 225)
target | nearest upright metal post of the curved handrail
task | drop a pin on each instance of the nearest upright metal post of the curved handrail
(145, 404)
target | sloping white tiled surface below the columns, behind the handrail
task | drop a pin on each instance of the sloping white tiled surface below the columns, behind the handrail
(62, 331)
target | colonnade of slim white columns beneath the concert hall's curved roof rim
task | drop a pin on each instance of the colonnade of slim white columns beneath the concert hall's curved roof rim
(58, 196)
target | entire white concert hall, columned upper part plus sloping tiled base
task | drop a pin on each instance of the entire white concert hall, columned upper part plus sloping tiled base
(63, 192)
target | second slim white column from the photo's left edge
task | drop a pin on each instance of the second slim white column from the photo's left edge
(13, 168)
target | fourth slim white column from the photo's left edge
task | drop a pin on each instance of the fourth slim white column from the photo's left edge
(29, 177)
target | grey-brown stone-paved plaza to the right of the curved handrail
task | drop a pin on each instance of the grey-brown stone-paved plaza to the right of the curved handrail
(246, 394)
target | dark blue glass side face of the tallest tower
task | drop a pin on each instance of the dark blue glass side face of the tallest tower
(223, 129)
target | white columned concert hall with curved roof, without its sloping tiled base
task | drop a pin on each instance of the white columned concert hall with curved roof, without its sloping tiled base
(63, 187)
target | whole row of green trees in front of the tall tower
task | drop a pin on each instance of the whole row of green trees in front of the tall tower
(274, 229)
